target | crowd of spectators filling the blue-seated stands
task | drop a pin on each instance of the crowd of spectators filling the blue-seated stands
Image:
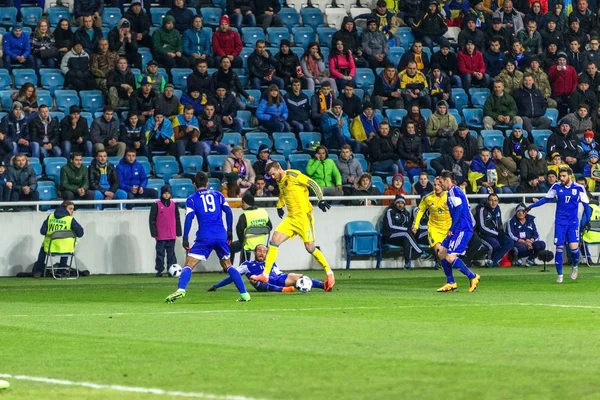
(500, 93)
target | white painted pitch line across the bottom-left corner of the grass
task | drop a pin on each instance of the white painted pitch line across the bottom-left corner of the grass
(132, 389)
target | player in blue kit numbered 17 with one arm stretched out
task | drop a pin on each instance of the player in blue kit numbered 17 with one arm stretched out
(566, 225)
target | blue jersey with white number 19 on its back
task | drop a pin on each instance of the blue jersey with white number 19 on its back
(208, 207)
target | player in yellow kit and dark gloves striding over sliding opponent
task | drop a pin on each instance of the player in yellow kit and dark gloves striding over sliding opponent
(293, 188)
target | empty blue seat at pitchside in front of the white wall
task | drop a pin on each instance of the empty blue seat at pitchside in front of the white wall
(361, 239)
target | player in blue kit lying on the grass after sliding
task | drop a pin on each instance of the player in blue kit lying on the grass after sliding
(278, 281)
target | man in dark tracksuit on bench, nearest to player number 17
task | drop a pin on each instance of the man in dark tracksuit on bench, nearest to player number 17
(524, 233)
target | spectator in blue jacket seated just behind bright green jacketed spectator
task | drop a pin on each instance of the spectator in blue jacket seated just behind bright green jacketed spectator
(336, 129)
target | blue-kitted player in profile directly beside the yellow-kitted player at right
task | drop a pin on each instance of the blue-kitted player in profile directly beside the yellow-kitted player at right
(457, 238)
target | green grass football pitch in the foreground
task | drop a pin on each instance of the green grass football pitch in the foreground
(382, 334)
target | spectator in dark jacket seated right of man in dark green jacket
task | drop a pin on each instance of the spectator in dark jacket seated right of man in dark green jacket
(531, 105)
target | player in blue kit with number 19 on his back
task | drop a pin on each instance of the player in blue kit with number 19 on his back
(207, 206)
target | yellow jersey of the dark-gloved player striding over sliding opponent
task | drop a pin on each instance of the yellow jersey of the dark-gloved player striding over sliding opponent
(293, 193)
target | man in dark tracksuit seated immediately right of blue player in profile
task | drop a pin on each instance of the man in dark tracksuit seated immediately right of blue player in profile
(491, 229)
